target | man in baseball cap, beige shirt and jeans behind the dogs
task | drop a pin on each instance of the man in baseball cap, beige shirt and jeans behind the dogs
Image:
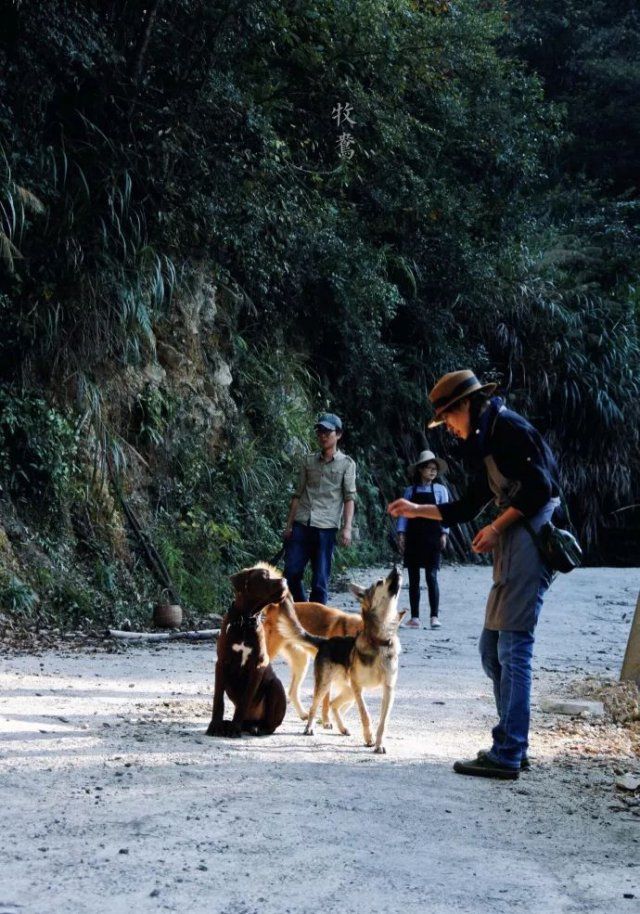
(324, 496)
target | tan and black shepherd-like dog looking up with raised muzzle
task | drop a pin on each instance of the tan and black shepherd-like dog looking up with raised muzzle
(367, 661)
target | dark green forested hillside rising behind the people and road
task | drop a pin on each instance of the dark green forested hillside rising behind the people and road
(219, 218)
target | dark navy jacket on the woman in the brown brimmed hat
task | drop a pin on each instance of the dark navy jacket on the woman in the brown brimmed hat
(520, 453)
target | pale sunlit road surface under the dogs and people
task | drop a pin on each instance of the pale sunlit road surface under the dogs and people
(113, 800)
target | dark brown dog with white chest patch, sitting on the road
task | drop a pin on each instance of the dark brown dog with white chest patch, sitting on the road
(243, 670)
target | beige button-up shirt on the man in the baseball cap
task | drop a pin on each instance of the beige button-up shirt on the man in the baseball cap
(323, 488)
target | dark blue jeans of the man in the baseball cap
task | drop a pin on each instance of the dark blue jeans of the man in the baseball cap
(309, 544)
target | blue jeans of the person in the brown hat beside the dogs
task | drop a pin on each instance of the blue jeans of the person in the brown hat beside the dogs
(506, 659)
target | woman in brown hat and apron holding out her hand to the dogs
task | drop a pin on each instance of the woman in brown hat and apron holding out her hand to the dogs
(516, 470)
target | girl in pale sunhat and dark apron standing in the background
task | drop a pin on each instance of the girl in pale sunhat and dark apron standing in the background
(421, 541)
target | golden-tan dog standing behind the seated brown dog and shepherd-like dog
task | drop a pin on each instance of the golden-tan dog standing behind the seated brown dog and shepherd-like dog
(325, 621)
